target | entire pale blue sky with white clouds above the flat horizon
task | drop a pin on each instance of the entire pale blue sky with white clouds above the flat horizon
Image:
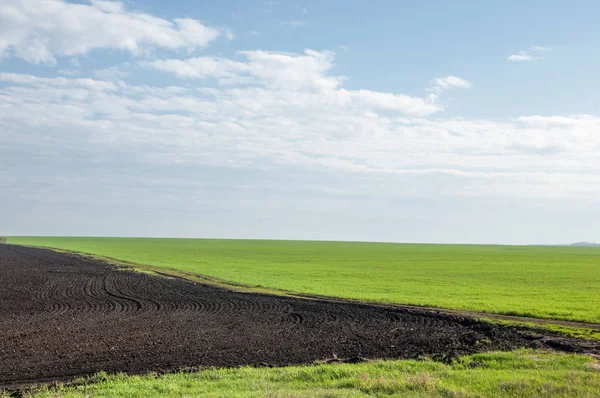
(401, 121)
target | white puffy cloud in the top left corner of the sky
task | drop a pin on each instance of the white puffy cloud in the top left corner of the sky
(40, 30)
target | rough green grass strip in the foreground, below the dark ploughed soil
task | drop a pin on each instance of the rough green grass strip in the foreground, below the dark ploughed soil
(514, 374)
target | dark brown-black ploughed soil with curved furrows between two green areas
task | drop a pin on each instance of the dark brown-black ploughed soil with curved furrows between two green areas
(69, 316)
